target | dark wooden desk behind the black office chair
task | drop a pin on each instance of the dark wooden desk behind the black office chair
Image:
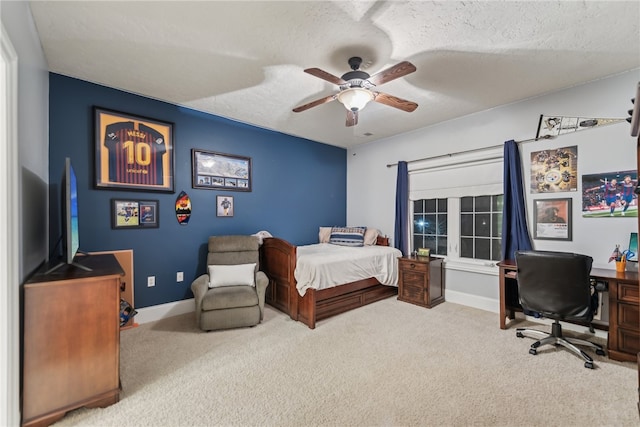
(623, 325)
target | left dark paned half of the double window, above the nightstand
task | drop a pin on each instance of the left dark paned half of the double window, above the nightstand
(430, 225)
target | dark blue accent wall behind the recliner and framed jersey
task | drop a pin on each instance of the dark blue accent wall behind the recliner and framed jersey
(297, 186)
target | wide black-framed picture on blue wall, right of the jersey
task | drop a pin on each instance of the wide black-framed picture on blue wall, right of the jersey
(218, 171)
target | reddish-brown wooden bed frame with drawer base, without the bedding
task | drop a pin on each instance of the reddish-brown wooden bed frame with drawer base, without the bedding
(278, 261)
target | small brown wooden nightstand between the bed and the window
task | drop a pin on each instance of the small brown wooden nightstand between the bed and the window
(421, 281)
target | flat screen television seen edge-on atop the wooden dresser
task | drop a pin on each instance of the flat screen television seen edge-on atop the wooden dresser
(70, 231)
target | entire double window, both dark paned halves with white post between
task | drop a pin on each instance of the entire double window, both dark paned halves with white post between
(479, 230)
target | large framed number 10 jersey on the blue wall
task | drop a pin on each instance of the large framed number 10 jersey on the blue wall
(132, 152)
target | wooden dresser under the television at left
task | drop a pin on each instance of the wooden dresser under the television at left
(71, 353)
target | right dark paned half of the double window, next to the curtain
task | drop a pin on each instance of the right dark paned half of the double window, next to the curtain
(481, 227)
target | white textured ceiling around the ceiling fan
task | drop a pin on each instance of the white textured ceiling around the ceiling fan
(244, 60)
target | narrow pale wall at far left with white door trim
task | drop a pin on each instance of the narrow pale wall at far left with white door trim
(28, 137)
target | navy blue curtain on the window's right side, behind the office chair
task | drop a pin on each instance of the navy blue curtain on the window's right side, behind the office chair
(515, 234)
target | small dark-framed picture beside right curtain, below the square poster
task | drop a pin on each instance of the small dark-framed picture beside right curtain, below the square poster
(552, 219)
